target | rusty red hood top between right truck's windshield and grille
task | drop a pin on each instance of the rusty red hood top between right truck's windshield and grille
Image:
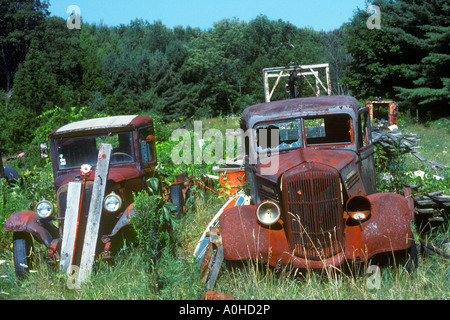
(337, 159)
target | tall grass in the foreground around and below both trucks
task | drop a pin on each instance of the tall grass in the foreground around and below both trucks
(178, 276)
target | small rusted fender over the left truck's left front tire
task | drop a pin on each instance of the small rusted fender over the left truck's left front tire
(28, 221)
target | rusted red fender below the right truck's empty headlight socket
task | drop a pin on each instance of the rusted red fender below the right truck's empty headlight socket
(388, 229)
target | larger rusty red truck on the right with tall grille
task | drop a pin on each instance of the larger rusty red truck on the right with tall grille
(318, 205)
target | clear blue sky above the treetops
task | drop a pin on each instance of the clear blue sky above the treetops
(319, 14)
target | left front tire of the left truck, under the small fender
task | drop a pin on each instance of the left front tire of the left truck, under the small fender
(22, 251)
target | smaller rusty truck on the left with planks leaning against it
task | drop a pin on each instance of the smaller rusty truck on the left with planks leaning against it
(73, 149)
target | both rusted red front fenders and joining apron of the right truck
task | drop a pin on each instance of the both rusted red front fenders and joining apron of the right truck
(388, 229)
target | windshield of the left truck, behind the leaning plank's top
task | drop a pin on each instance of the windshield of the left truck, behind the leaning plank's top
(74, 152)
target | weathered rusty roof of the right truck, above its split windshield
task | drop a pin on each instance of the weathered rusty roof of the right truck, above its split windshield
(301, 107)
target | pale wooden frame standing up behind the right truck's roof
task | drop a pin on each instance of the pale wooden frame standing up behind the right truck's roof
(302, 71)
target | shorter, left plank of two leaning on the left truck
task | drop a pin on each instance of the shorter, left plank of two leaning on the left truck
(70, 226)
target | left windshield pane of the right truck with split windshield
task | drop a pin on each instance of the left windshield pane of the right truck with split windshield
(282, 135)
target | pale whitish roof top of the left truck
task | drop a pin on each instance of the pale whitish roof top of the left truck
(103, 123)
